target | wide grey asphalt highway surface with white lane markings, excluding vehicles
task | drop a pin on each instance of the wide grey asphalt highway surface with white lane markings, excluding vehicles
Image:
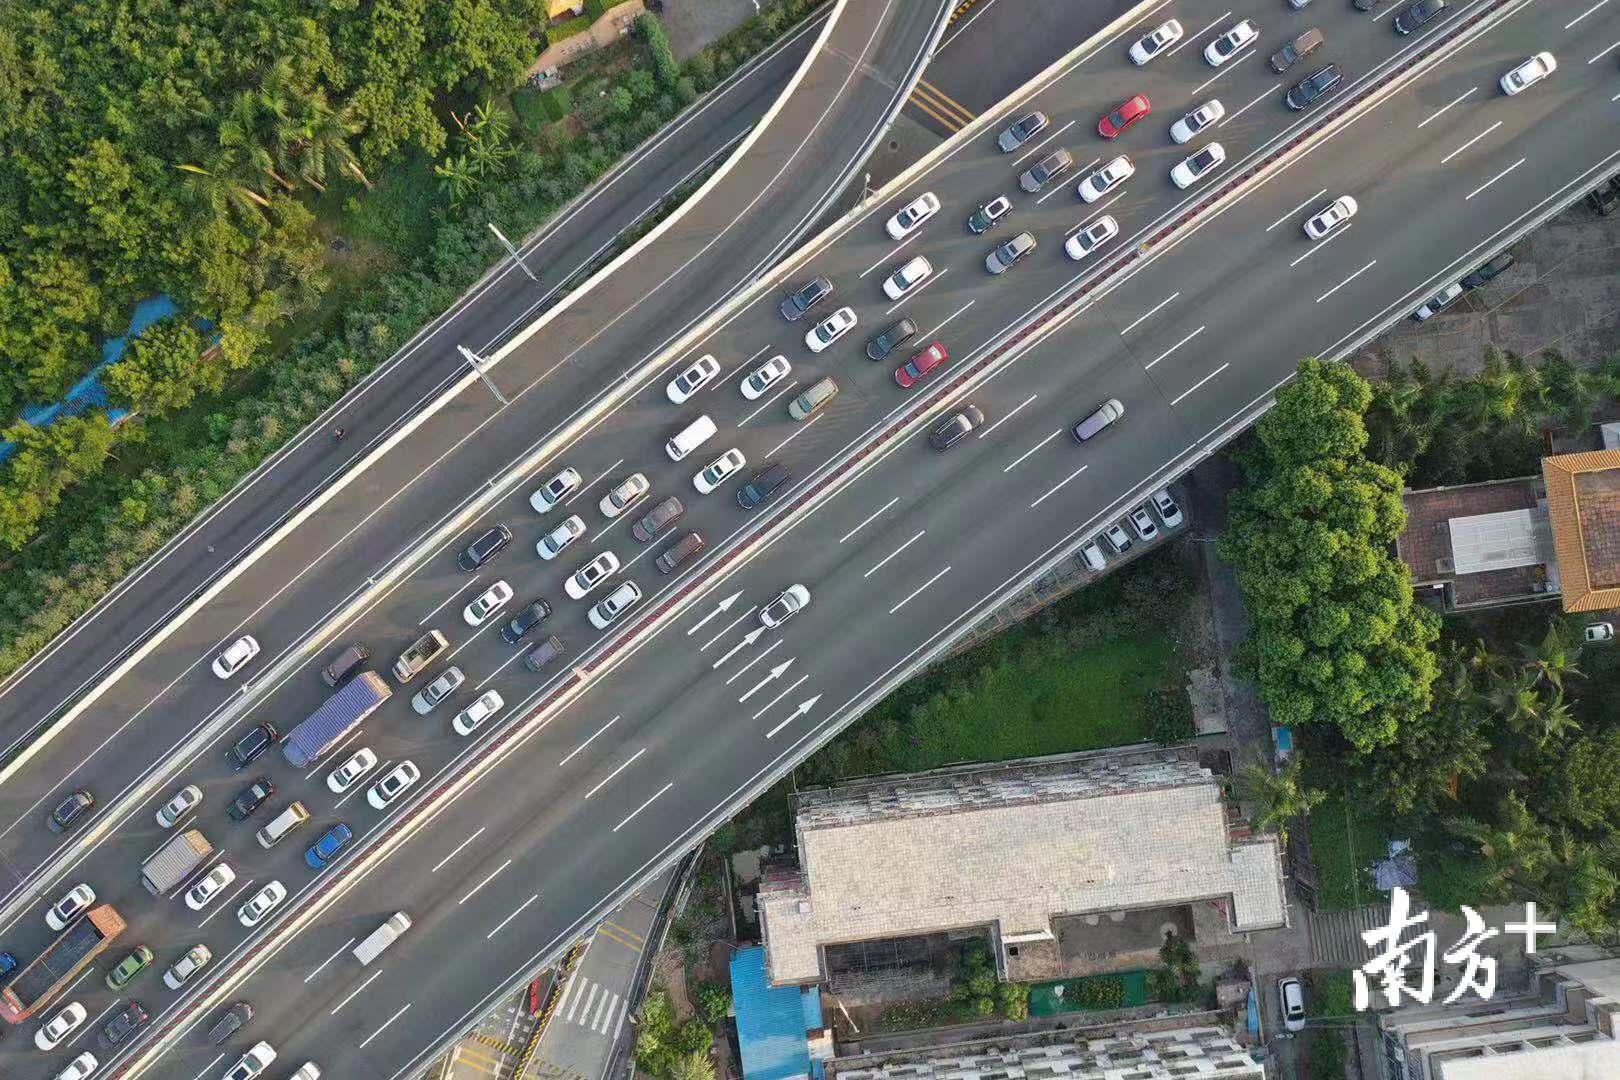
(908, 546)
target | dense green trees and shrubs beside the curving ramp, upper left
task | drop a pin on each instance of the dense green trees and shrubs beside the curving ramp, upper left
(310, 197)
